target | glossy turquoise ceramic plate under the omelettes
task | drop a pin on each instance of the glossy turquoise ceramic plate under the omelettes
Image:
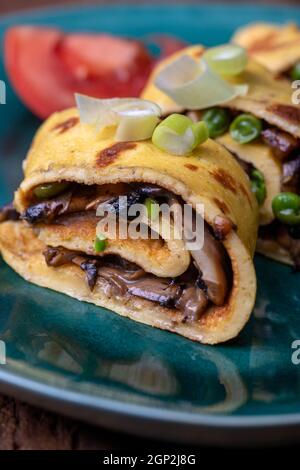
(90, 363)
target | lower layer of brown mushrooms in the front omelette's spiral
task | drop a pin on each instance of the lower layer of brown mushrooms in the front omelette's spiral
(186, 294)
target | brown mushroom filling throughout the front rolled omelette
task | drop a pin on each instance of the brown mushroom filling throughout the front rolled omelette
(206, 282)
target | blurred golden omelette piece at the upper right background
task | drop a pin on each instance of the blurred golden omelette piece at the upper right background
(275, 47)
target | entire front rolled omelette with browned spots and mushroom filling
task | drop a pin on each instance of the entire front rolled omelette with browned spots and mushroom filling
(206, 295)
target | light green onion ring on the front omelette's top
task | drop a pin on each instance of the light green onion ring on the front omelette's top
(179, 135)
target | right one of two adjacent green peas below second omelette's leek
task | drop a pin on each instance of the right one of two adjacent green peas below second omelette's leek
(245, 128)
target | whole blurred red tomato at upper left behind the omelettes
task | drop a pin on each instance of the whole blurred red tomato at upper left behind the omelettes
(47, 67)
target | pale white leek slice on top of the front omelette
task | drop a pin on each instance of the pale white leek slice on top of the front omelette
(134, 119)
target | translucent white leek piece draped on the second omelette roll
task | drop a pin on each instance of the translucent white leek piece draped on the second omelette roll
(194, 85)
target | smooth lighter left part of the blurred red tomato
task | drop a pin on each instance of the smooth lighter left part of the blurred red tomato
(34, 70)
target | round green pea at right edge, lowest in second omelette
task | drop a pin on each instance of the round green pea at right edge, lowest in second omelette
(286, 208)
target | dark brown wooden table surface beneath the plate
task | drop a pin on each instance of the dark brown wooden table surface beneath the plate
(25, 427)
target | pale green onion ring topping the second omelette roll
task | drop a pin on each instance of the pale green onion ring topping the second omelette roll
(226, 60)
